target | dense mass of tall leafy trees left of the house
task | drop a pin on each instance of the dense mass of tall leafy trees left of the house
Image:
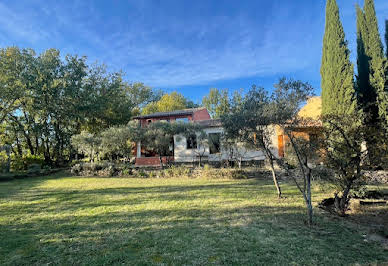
(45, 99)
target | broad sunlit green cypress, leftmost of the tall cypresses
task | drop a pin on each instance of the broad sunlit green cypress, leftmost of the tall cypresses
(338, 94)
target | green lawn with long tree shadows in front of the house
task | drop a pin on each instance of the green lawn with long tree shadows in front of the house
(73, 220)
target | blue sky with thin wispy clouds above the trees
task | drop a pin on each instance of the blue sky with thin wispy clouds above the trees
(184, 45)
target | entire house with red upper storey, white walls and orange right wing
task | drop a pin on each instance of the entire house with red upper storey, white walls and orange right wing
(184, 151)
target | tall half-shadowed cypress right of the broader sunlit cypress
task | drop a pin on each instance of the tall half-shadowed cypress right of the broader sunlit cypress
(371, 79)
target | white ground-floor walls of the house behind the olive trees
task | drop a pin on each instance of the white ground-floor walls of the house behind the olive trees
(182, 154)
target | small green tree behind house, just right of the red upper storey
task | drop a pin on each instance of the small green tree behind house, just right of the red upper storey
(217, 102)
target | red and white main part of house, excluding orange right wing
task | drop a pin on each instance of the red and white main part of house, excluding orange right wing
(184, 151)
